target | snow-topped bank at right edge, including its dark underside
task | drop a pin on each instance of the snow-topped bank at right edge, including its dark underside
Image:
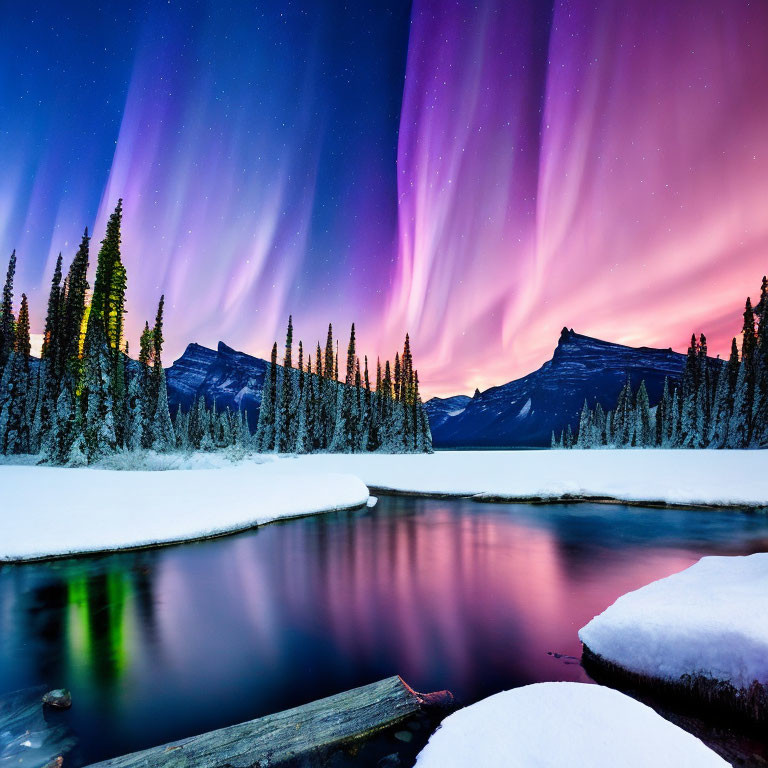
(701, 635)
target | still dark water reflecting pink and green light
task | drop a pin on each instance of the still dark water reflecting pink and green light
(162, 644)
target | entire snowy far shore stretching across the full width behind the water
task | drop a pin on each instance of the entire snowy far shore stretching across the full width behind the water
(150, 500)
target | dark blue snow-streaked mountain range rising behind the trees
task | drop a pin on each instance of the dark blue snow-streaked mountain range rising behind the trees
(523, 412)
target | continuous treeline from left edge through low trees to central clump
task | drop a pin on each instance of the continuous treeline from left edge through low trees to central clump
(85, 398)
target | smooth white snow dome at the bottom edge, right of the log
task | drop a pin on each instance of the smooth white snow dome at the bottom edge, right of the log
(563, 724)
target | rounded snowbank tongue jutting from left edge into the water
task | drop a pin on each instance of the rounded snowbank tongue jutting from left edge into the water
(53, 511)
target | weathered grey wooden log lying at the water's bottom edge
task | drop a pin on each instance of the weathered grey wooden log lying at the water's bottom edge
(294, 735)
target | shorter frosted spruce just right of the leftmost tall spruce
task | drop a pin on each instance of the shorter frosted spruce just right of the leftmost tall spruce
(14, 417)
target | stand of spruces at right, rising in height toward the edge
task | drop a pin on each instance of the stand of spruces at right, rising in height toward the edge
(716, 404)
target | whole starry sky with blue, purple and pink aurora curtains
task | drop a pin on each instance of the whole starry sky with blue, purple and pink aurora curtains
(476, 173)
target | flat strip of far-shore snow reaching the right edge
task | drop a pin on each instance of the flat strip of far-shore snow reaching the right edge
(695, 477)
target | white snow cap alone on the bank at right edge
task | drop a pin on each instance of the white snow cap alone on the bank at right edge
(710, 621)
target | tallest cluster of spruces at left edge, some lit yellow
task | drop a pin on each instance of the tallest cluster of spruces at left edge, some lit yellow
(85, 398)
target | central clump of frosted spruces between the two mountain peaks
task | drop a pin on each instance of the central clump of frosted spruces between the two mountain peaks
(307, 409)
